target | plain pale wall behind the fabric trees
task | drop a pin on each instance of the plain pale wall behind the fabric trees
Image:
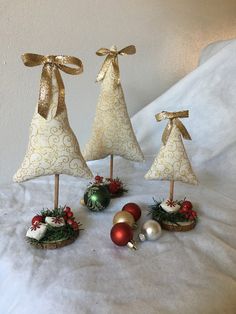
(168, 34)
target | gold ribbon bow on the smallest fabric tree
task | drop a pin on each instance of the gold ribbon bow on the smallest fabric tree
(173, 119)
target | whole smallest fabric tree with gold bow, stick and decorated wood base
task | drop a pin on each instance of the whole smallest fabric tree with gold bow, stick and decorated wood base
(172, 164)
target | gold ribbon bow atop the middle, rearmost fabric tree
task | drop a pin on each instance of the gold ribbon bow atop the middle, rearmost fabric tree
(112, 58)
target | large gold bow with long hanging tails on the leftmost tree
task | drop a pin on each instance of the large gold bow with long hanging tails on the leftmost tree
(52, 64)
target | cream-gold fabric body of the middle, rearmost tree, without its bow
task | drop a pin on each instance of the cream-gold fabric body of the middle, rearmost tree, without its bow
(112, 132)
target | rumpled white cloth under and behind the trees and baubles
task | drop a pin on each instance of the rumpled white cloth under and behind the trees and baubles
(187, 273)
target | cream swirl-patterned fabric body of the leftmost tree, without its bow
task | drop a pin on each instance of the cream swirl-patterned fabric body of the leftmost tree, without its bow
(53, 147)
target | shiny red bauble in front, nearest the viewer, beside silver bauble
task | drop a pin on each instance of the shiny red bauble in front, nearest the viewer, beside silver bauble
(121, 234)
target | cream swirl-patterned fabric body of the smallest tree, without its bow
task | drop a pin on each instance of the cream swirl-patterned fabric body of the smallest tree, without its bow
(172, 162)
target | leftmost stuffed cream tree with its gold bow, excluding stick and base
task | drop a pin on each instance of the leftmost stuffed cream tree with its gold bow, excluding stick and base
(53, 147)
